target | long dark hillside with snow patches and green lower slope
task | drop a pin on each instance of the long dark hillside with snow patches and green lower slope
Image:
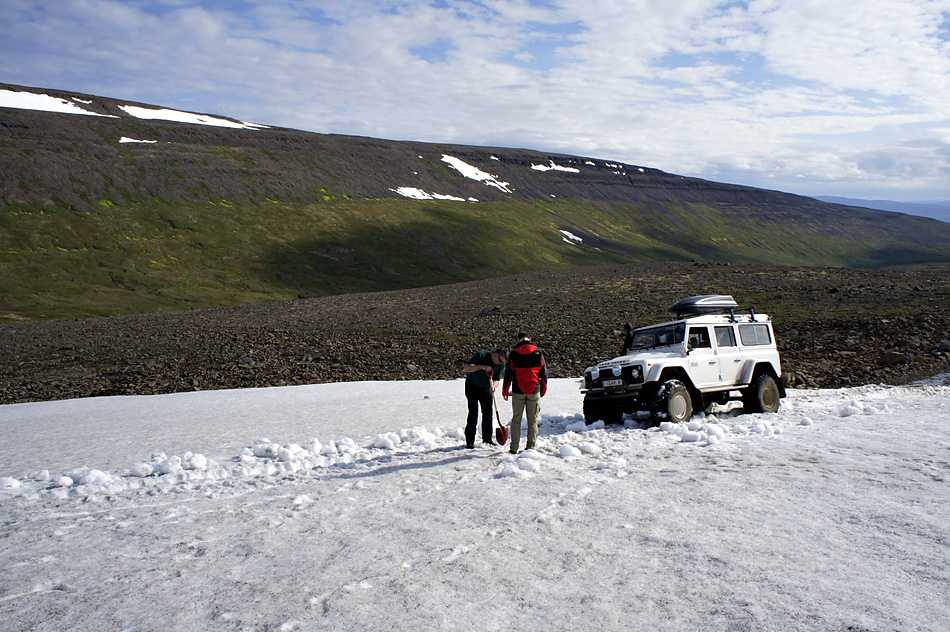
(109, 207)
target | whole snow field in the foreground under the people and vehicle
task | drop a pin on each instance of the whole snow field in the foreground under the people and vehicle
(828, 515)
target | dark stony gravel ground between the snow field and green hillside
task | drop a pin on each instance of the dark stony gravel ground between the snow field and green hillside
(835, 327)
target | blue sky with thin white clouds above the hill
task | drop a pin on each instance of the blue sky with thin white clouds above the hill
(816, 97)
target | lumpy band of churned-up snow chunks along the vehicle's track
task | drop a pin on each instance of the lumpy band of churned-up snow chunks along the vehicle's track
(563, 436)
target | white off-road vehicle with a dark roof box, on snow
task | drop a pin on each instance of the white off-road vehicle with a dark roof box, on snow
(708, 355)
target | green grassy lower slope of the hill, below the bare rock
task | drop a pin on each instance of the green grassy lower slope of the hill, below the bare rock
(159, 256)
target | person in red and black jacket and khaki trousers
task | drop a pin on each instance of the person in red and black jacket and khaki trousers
(526, 380)
